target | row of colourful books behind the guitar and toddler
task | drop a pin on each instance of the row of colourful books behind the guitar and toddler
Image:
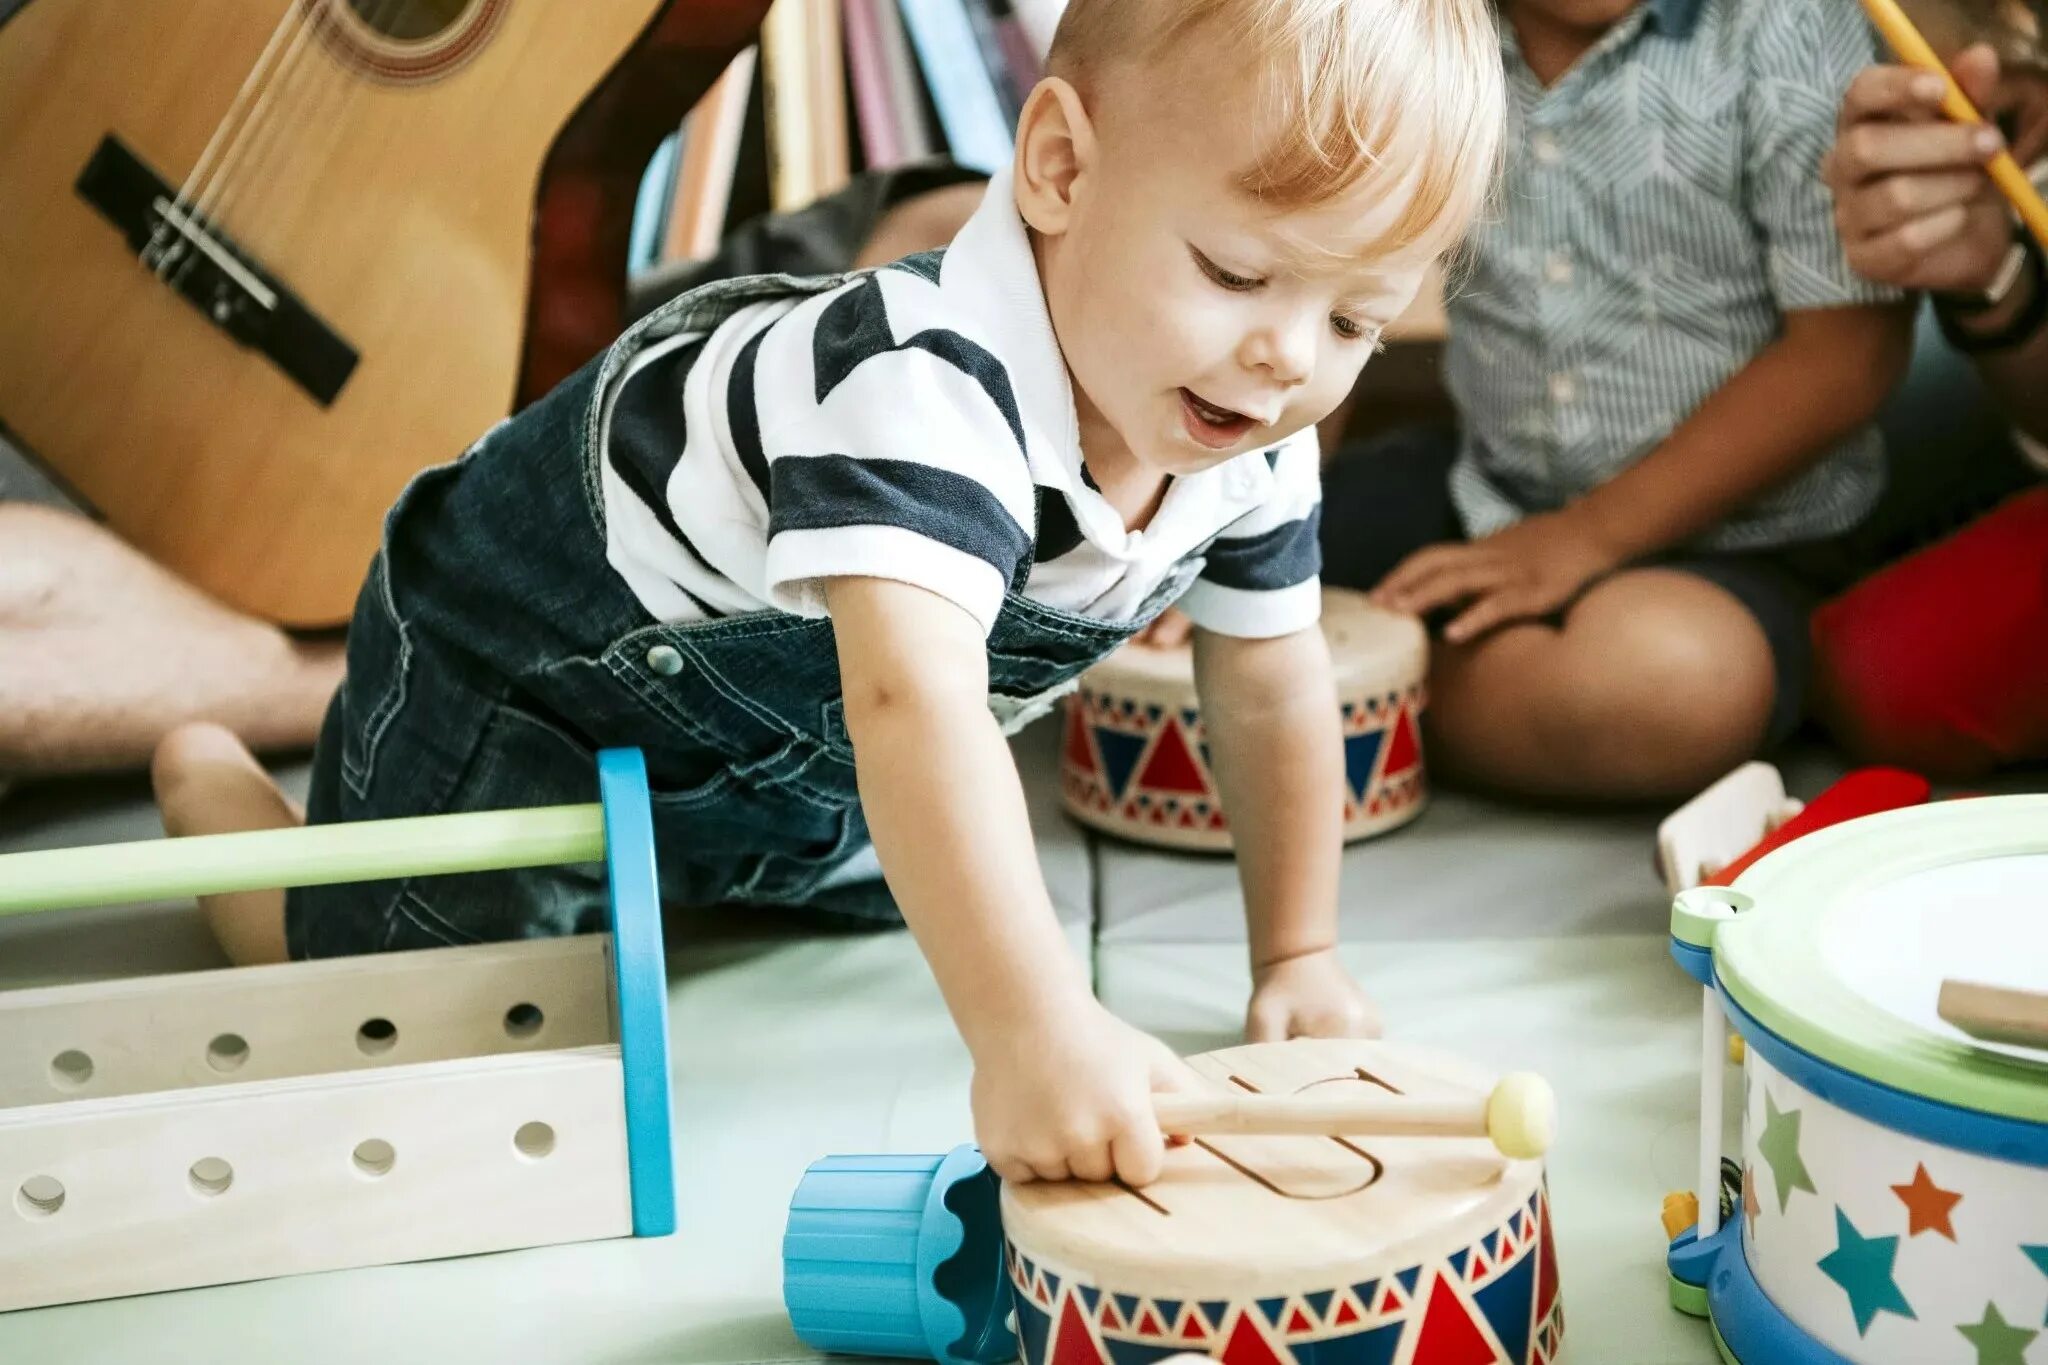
(837, 87)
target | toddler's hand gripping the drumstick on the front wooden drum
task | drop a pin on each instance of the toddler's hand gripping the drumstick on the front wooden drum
(1074, 1100)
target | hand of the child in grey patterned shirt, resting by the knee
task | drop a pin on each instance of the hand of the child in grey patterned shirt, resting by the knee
(1529, 572)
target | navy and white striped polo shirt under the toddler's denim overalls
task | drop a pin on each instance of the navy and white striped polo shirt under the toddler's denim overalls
(919, 425)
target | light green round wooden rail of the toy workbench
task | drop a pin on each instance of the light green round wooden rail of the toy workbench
(314, 856)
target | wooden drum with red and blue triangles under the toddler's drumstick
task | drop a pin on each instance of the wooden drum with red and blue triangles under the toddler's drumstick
(1281, 1251)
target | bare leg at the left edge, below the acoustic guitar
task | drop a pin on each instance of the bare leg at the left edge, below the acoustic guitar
(103, 654)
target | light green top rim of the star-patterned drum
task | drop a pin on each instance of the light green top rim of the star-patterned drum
(1773, 963)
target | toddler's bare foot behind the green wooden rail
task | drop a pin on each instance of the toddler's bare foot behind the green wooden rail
(208, 783)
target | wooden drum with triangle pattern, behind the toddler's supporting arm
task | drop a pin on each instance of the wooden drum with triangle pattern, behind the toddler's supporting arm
(1136, 758)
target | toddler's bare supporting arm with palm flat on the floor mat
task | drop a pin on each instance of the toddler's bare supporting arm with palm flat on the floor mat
(1271, 713)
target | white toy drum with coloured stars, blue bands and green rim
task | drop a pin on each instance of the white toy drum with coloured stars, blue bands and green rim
(1895, 1168)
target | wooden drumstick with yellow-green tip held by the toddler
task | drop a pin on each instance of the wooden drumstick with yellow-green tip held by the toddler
(1519, 1116)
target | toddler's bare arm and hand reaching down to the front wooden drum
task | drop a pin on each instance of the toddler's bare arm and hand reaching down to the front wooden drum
(1062, 1088)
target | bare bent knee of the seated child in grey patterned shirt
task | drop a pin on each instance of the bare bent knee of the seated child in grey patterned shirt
(1654, 685)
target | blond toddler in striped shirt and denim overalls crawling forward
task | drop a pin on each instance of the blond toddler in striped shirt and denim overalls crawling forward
(814, 545)
